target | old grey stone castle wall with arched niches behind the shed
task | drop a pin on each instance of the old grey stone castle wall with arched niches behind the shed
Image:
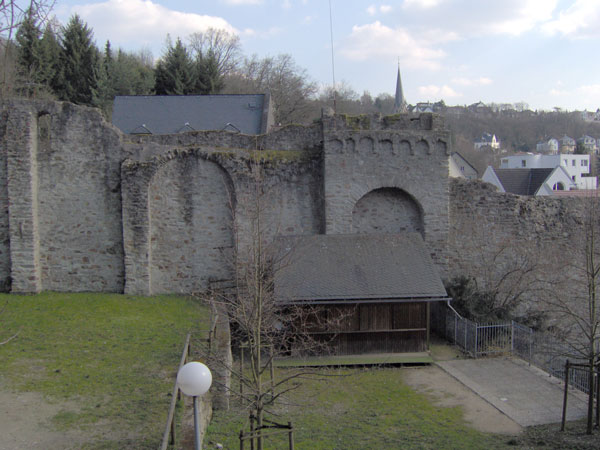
(86, 208)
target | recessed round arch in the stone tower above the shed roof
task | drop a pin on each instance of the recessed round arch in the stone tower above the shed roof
(387, 210)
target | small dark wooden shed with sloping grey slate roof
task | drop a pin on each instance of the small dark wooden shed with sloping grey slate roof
(365, 293)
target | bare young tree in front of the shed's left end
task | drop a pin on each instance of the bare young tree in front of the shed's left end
(260, 322)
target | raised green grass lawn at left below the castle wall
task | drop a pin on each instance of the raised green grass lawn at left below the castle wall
(113, 356)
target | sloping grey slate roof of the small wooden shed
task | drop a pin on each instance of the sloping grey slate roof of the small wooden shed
(358, 266)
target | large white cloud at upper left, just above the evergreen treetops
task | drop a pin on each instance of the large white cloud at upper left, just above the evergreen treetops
(139, 23)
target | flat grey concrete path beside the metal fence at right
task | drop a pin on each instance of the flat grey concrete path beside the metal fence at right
(524, 393)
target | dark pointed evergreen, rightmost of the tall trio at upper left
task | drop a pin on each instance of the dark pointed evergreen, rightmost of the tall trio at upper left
(79, 60)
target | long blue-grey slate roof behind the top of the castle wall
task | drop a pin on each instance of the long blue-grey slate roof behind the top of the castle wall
(168, 114)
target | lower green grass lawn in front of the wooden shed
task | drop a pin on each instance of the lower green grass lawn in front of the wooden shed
(361, 409)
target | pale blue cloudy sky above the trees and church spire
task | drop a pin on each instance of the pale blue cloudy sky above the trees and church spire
(542, 52)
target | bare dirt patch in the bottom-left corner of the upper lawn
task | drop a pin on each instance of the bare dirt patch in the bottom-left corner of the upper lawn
(26, 423)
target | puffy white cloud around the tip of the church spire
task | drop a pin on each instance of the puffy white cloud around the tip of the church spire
(379, 41)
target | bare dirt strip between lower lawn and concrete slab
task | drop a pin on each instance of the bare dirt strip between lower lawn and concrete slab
(447, 392)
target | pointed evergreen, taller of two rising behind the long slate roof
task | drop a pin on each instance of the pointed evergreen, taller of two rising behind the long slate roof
(175, 74)
